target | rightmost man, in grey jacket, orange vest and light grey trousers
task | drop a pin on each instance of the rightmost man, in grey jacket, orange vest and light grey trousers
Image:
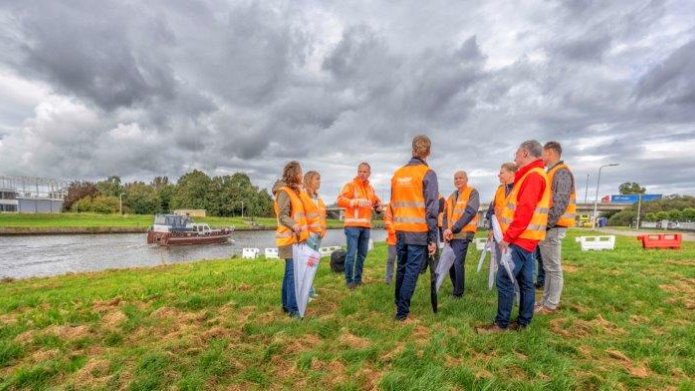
(560, 217)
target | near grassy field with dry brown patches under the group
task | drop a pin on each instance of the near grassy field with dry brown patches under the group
(627, 322)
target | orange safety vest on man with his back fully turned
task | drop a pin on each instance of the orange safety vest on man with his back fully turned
(408, 200)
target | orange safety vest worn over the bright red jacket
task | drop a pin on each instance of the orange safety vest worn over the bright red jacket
(539, 221)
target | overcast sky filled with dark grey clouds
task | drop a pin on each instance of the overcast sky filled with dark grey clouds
(90, 89)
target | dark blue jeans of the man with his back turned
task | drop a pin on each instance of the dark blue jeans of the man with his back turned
(411, 258)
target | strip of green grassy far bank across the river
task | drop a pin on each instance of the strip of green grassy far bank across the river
(88, 223)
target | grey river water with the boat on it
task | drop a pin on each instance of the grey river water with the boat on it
(39, 256)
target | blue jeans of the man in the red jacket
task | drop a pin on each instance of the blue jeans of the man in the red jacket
(524, 265)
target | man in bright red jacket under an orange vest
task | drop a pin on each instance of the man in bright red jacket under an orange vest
(523, 221)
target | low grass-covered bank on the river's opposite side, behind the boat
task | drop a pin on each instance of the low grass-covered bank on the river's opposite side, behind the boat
(47, 221)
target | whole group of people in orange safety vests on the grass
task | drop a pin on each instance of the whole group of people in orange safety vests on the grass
(533, 205)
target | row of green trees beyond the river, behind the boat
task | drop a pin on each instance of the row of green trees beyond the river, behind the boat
(226, 195)
